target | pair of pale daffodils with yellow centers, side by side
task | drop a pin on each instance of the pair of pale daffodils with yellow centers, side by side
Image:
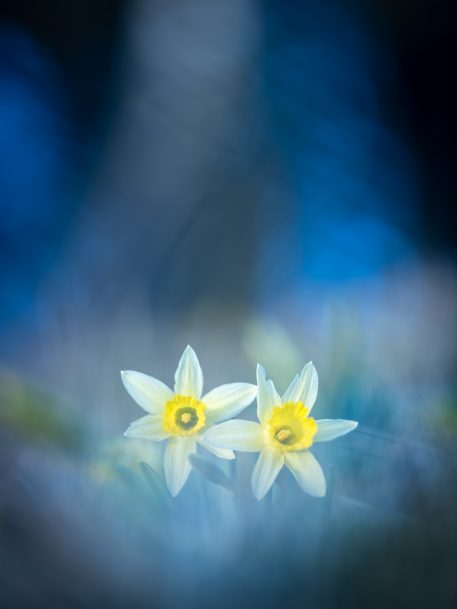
(282, 436)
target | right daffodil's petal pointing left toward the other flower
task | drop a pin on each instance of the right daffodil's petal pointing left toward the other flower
(237, 435)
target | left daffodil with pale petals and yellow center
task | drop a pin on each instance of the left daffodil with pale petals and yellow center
(181, 416)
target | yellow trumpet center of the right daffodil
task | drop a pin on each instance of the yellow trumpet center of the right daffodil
(290, 428)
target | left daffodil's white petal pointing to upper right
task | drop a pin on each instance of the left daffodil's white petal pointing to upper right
(227, 401)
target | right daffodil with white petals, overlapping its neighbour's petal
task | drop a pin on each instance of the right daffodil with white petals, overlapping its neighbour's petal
(284, 434)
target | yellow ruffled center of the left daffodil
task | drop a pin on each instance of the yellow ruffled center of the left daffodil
(183, 416)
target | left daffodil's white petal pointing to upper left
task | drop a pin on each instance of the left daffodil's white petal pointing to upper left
(148, 392)
